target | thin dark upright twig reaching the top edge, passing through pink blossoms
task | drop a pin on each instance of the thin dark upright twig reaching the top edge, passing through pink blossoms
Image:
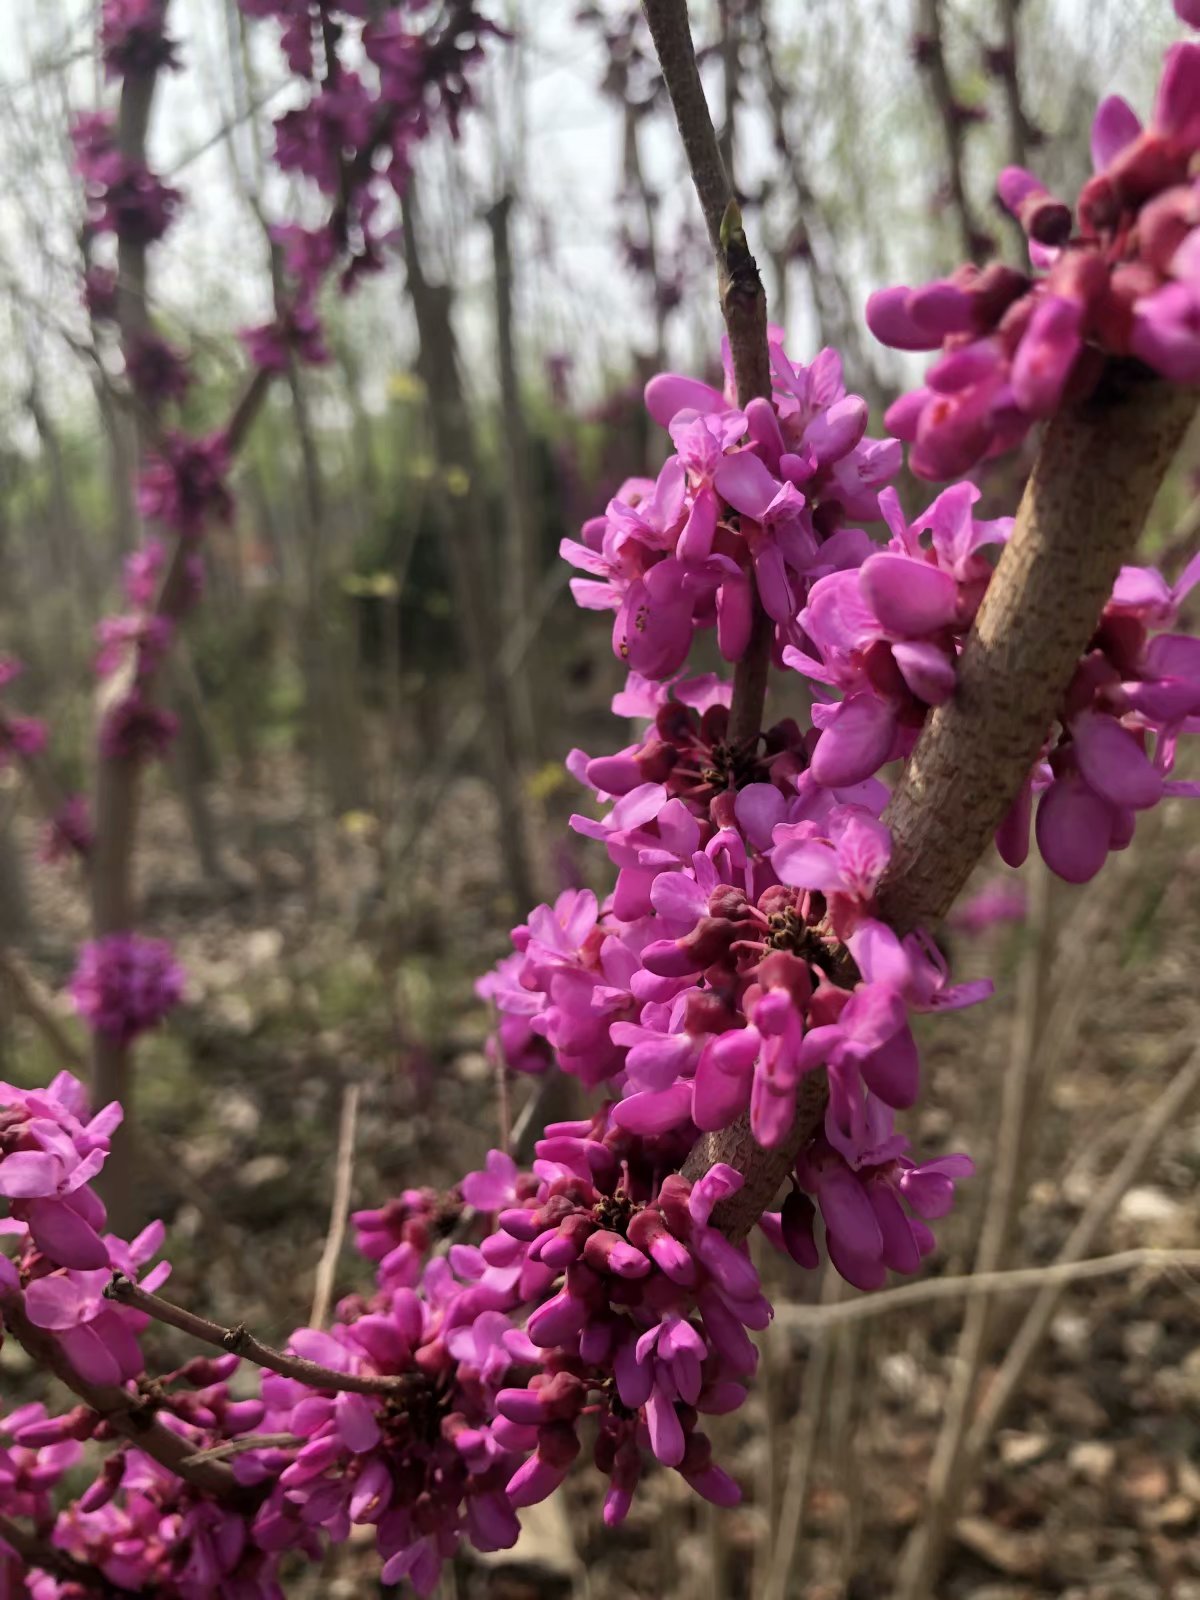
(742, 295)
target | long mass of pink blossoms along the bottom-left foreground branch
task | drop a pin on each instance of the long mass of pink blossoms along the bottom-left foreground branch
(452, 1396)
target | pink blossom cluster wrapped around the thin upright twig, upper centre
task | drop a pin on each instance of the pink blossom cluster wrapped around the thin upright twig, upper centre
(756, 497)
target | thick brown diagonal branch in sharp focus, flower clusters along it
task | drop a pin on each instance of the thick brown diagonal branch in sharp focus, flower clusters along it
(1087, 502)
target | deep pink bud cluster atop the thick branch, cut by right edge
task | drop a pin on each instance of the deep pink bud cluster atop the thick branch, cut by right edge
(1118, 278)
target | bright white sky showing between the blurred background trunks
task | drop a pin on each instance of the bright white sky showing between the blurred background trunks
(578, 297)
